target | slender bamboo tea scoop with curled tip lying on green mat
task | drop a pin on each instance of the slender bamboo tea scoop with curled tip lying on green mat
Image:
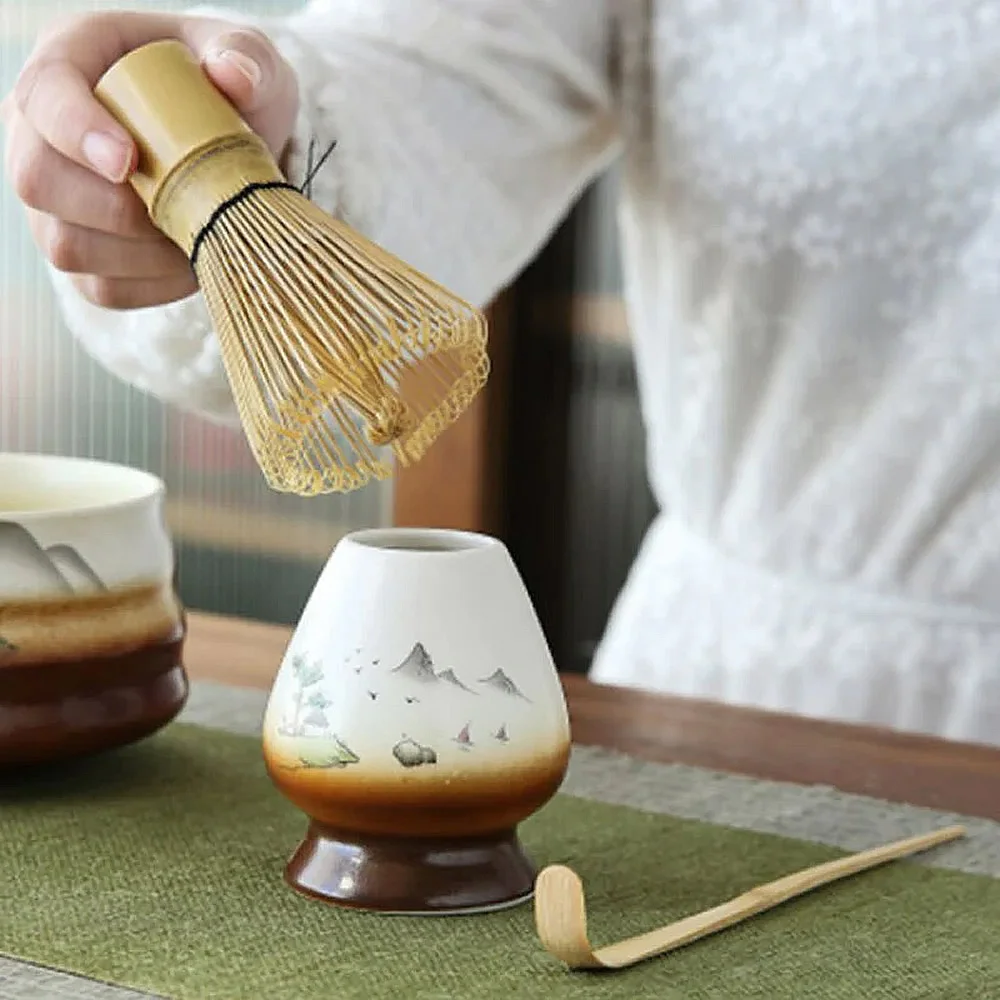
(561, 909)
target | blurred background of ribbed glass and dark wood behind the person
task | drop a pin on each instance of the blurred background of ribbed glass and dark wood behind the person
(551, 457)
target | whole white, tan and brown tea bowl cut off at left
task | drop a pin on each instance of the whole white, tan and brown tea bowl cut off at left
(90, 629)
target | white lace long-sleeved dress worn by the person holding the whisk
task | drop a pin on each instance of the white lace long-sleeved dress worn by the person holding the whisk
(811, 231)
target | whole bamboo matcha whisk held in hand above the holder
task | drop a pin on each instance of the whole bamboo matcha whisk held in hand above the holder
(333, 347)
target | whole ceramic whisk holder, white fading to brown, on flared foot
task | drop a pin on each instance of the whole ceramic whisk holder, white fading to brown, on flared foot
(417, 719)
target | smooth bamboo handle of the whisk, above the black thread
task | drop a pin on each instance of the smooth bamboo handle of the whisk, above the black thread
(195, 151)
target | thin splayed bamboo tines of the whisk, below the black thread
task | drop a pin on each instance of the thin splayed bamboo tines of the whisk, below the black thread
(334, 351)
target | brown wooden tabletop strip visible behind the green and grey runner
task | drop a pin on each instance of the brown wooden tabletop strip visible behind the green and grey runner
(893, 766)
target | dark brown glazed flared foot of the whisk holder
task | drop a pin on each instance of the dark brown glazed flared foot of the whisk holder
(420, 877)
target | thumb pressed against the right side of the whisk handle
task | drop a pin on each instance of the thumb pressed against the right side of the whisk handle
(252, 74)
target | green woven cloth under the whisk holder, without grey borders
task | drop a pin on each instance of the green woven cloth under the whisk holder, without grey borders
(160, 868)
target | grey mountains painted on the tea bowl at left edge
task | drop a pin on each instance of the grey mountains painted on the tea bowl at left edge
(30, 571)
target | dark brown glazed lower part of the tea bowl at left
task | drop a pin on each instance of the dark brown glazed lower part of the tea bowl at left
(63, 710)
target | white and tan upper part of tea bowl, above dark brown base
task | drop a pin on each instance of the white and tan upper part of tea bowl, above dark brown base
(86, 561)
